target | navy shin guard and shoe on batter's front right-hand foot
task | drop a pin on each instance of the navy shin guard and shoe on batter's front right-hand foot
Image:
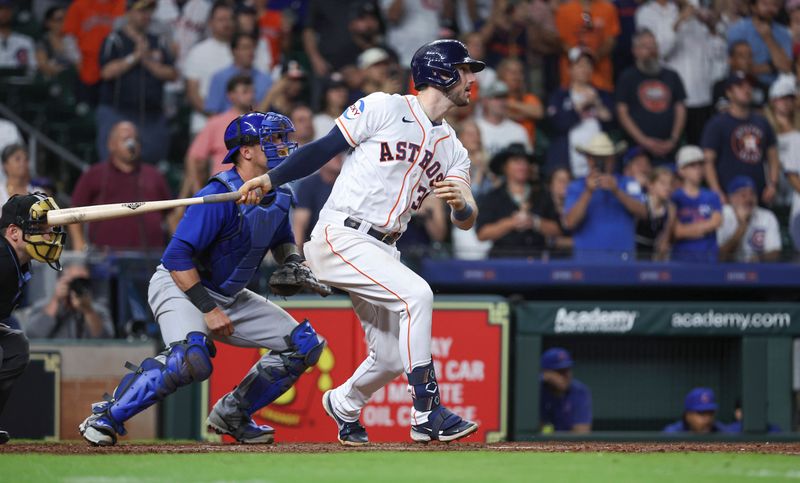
(442, 424)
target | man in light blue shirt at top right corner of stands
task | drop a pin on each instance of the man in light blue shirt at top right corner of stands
(771, 42)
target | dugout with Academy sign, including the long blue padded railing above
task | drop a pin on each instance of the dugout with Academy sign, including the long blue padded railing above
(642, 334)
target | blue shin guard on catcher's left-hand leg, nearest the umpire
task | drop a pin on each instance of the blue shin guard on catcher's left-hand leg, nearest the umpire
(181, 364)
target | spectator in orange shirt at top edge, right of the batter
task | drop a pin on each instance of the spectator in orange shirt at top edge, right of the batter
(594, 25)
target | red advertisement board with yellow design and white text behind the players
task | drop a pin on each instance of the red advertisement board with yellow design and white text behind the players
(470, 351)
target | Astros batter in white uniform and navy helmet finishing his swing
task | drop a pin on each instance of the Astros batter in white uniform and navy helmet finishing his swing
(399, 150)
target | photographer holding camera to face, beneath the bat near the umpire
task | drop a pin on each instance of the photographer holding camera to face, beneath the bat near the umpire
(71, 313)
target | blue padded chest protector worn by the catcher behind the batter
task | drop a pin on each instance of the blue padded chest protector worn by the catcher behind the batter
(235, 258)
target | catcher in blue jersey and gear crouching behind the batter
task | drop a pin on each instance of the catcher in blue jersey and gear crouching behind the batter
(198, 294)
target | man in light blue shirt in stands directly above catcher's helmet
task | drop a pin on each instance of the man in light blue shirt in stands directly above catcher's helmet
(243, 47)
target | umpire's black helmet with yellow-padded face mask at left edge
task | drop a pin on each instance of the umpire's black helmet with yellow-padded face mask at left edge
(44, 243)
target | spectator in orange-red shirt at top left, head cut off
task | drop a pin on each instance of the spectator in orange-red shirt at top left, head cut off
(90, 22)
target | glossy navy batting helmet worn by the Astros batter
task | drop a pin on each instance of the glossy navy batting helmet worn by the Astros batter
(436, 63)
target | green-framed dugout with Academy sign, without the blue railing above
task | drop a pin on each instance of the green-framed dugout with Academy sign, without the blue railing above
(640, 359)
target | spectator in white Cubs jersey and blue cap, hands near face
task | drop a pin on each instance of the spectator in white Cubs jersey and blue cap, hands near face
(748, 233)
